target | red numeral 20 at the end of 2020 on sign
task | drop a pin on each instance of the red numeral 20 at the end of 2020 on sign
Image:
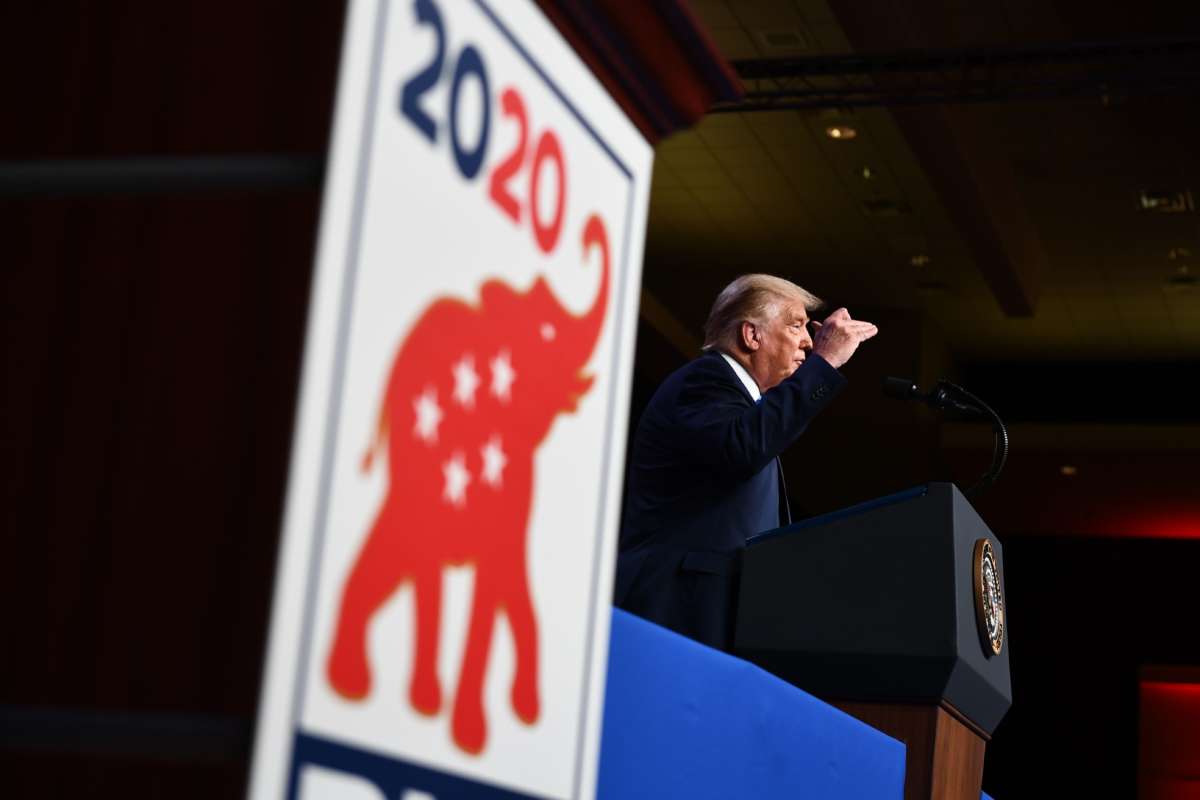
(548, 151)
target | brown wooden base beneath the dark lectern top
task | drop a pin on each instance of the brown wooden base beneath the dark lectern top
(945, 759)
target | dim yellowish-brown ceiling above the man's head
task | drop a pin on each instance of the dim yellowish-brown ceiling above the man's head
(771, 191)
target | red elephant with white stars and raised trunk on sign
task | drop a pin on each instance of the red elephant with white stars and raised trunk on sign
(472, 394)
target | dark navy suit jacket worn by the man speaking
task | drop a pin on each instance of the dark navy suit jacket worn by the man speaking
(704, 477)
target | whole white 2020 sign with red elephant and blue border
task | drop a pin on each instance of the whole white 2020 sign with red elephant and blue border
(441, 615)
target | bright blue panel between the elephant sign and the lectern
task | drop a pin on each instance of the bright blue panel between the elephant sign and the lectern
(686, 721)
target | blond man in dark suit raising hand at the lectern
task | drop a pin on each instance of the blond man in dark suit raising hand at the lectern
(704, 472)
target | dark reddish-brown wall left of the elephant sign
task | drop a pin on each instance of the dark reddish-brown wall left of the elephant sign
(152, 358)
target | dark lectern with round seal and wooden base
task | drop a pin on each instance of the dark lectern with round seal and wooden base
(895, 612)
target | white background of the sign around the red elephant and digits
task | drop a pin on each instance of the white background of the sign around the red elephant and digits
(401, 227)
